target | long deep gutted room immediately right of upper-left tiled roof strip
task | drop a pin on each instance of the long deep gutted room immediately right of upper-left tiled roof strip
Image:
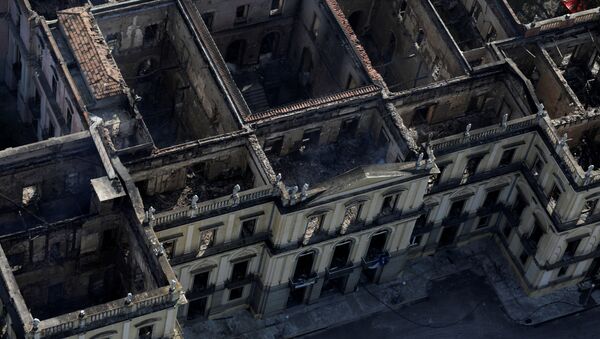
(175, 92)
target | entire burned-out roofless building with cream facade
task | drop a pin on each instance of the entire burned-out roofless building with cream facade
(166, 160)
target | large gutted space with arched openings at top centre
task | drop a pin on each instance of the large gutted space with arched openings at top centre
(295, 56)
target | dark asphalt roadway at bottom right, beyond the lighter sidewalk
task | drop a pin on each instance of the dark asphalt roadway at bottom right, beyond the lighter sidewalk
(461, 309)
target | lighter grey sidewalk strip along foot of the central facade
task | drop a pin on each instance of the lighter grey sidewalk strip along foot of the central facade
(330, 311)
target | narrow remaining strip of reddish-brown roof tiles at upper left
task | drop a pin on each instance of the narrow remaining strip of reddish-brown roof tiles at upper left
(92, 52)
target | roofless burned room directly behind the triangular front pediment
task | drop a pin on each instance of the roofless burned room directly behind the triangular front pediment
(315, 154)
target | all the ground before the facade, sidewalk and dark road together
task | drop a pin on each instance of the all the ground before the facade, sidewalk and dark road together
(471, 288)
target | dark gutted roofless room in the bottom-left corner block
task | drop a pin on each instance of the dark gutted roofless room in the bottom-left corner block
(75, 265)
